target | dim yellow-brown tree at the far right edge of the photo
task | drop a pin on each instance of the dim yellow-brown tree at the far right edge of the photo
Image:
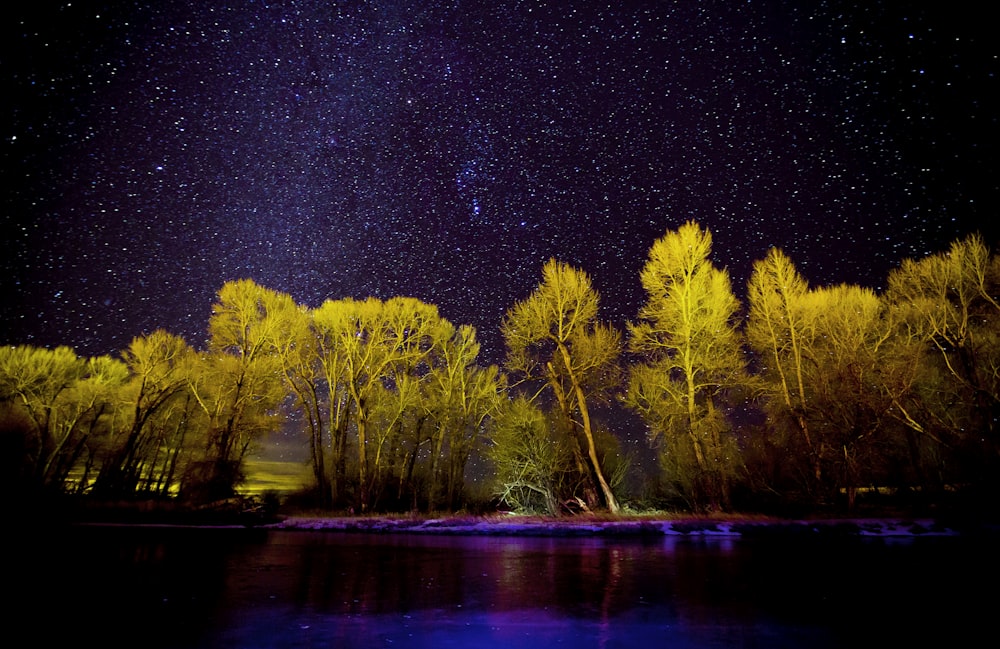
(948, 314)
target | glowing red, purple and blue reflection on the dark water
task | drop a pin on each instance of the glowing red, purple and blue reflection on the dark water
(462, 592)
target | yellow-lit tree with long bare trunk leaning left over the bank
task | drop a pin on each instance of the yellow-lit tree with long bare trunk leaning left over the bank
(554, 336)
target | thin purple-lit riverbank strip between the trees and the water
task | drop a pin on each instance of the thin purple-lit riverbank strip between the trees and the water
(648, 524)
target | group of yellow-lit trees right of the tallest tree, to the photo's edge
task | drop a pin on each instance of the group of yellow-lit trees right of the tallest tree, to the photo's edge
(887, 390)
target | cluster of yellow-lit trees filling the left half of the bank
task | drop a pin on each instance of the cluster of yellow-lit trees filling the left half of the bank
(389, 394)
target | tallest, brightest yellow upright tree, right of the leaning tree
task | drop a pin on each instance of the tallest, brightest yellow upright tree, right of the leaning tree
(691, 351)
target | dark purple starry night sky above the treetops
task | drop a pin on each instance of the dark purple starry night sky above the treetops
(445, 150)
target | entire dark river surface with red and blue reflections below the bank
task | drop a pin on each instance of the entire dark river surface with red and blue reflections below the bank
(180, 587)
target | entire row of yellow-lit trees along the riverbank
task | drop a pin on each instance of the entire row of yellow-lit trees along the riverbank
(804, 395)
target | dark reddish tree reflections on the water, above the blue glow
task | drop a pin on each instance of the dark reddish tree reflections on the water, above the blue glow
(588, 579)
